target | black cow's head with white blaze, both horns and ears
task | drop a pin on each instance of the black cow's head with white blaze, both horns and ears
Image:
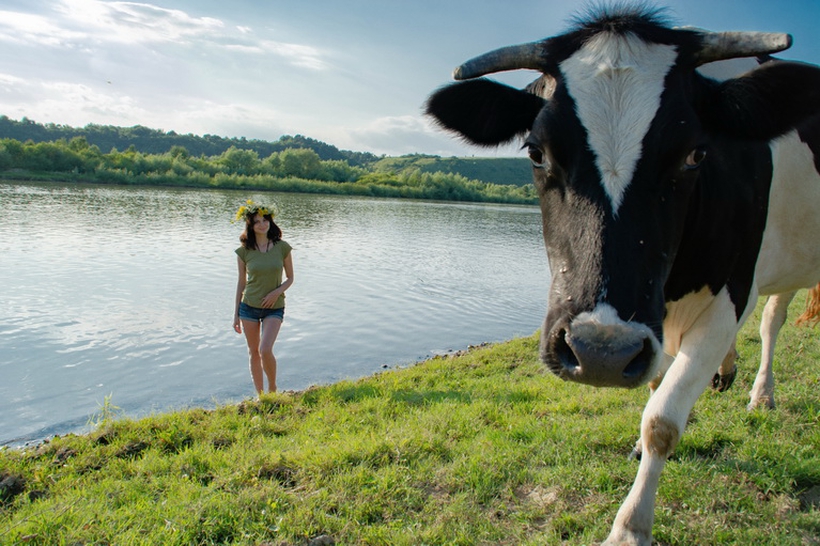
(618, 128)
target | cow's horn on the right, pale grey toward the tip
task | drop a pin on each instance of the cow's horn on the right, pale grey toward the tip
(718, 46)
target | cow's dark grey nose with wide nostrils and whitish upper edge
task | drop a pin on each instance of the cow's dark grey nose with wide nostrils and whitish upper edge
(604, 356)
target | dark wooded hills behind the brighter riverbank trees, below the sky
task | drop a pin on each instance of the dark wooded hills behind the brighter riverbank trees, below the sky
(508, 171)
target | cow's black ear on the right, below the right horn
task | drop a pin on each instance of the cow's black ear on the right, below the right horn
(765, 103)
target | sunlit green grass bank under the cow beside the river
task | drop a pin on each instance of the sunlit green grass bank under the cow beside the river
(483, 448)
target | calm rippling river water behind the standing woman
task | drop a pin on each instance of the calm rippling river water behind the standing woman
(126, 294)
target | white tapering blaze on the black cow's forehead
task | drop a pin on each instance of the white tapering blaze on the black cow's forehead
(617, 82)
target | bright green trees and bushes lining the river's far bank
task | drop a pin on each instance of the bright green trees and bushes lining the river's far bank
(292, 169)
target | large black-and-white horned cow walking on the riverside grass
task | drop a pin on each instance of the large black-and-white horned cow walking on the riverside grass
(670, 201)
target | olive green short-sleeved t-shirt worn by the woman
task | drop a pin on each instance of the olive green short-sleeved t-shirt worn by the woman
(264, 273)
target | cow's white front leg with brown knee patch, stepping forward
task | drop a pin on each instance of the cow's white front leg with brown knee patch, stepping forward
(664, 418)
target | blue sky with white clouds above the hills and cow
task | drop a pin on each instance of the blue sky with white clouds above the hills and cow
(351, 73)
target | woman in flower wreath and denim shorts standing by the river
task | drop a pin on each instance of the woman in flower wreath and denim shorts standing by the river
(260, 290)
